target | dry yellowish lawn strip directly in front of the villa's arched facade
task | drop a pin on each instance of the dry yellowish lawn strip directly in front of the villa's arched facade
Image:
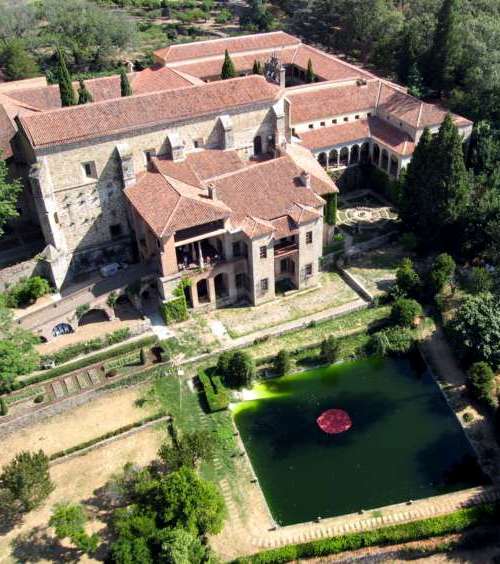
(332, 292)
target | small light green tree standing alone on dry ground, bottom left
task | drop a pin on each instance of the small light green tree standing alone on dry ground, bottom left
(68, 520)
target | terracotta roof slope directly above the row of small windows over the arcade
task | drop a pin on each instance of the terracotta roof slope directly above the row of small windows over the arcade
(323, 101)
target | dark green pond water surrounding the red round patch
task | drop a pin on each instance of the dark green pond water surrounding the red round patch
(404, 443)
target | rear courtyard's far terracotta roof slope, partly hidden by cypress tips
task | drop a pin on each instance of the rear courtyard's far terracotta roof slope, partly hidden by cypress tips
(243, 63)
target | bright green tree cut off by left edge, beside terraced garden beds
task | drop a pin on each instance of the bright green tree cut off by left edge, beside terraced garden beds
(17, 350)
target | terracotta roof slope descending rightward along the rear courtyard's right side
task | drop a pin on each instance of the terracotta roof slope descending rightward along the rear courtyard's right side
(327, 66)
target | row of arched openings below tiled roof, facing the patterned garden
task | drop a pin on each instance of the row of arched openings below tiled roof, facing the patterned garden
(350, 155)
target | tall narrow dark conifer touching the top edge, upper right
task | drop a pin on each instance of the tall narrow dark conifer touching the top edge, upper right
(446, 48)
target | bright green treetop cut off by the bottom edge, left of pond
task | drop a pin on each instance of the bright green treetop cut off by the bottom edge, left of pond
(181, 547)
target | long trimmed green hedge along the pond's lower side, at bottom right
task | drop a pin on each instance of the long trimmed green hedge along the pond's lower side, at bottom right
(395, 534)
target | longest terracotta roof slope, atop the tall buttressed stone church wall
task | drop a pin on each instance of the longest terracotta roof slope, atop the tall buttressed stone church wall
(123, 114)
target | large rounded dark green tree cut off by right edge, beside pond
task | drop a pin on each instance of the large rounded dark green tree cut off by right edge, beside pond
(476, 329)
